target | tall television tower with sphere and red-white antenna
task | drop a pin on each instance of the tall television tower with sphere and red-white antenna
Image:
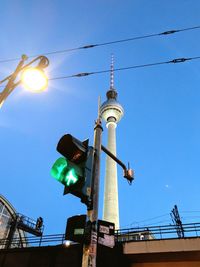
(111, 111)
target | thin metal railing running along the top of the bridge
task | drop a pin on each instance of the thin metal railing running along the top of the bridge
(122, 235)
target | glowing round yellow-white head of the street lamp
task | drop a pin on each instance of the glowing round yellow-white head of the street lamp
(34, 79)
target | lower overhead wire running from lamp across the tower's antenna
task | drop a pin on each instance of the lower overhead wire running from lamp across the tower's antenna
(84, 74)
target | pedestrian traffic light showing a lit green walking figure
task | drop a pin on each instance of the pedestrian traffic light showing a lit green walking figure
(74, 170)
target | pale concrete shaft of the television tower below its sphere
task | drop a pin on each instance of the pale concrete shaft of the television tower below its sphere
(111, 206)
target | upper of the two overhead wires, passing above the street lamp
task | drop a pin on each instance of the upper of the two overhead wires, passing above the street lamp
(165, 33)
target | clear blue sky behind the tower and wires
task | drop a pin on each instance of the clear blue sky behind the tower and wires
(159, 133)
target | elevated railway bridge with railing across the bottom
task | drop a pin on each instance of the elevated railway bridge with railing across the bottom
(154, 246)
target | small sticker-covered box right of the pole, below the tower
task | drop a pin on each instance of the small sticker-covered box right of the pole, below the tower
(106, 231)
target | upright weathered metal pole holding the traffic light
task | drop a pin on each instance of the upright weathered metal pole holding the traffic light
(90, 251)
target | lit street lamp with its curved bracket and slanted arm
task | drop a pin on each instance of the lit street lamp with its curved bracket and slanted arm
(33, 78)
